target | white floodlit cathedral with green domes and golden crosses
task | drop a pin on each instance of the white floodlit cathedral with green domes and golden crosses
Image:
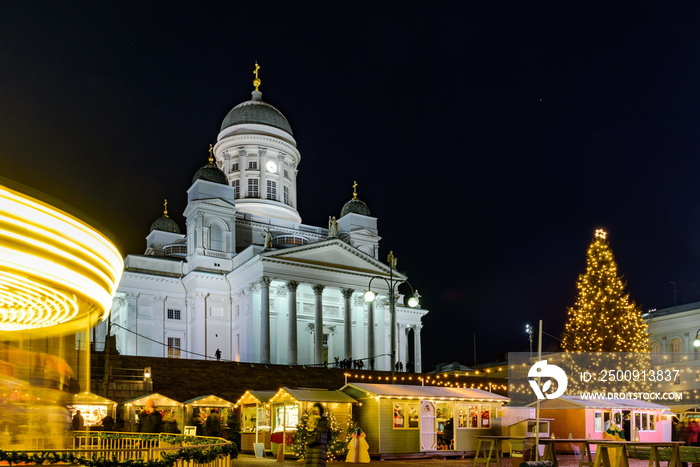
(248, 278)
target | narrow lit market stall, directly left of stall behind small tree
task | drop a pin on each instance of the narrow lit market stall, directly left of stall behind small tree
(255, 419)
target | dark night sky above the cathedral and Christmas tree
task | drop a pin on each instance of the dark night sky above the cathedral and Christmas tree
(489, 138)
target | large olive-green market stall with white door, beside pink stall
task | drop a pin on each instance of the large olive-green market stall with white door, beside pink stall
(404, 419)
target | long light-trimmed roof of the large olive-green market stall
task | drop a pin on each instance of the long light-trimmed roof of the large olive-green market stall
(424, 392)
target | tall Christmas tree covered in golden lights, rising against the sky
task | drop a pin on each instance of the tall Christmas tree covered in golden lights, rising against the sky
(603, 318)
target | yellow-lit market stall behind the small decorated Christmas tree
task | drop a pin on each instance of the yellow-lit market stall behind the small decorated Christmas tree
(288, 404)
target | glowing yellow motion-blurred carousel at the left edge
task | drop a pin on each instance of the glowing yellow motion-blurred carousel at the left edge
(58, 276)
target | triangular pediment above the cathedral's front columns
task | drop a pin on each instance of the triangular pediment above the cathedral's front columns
(330, 254)
